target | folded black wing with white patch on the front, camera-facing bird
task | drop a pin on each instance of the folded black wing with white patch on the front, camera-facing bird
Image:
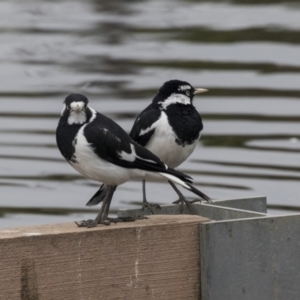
(111, 143)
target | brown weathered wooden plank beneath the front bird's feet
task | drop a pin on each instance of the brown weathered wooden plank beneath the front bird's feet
(157, 258)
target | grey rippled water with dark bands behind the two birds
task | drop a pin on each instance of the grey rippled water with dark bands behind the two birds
(119, 53)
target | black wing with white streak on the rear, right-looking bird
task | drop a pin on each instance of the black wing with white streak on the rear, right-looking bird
(143, 129)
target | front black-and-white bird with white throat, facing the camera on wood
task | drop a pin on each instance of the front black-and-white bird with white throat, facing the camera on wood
(100, 149)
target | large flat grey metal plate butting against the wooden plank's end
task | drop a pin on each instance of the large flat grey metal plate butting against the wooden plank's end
(248, 259)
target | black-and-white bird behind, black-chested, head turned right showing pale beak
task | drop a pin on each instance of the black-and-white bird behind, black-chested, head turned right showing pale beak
(169, 127)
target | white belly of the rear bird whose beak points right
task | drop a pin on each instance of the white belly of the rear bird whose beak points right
(163, 145)
